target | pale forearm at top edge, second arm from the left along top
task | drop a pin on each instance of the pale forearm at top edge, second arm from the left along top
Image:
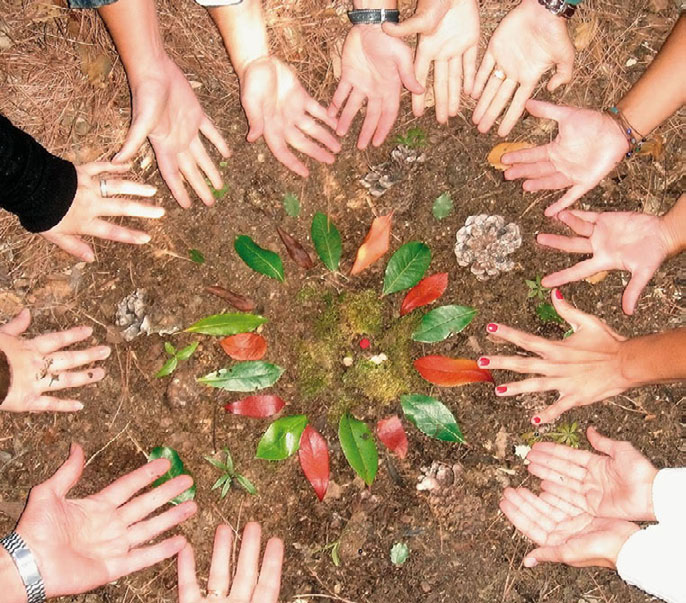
(244, 32)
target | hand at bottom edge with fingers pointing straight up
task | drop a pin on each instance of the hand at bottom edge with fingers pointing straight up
(246, 588)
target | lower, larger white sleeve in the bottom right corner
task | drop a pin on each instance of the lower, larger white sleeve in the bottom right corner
(653, 559)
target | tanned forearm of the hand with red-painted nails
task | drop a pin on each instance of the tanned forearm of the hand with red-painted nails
(658, 358)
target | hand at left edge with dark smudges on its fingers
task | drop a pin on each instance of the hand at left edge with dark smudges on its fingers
(38, 366)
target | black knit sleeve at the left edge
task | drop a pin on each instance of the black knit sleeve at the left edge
(35, 185)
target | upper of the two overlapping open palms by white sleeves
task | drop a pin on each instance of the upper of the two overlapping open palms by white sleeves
(618, 484)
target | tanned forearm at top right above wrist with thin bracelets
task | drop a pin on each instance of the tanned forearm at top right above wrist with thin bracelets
(643, 107)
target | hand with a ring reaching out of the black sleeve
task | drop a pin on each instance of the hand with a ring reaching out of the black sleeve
(84, 215)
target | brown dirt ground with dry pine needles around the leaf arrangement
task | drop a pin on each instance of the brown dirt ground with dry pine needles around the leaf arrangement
(462, 548)
